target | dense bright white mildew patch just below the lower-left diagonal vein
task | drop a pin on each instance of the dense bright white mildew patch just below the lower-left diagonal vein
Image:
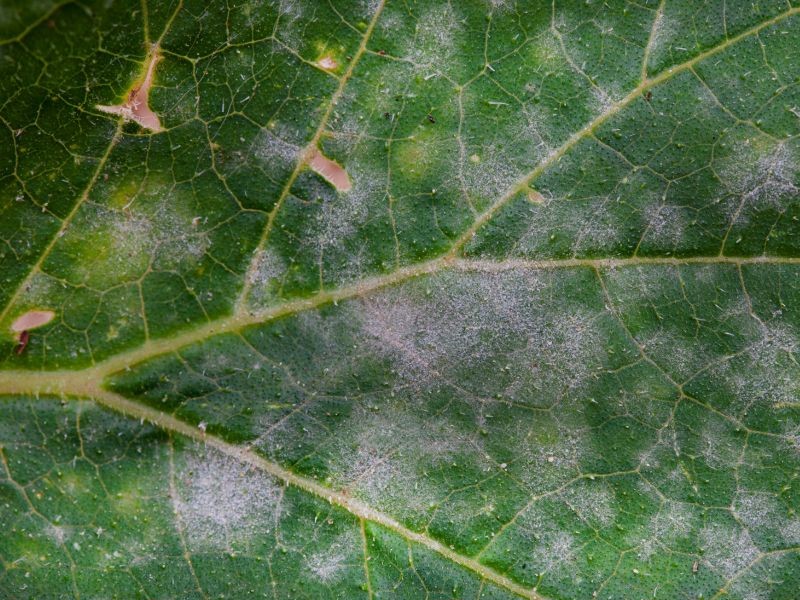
(221, 500)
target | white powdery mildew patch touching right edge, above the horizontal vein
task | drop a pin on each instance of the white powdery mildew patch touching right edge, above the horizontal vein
(763, 174)
